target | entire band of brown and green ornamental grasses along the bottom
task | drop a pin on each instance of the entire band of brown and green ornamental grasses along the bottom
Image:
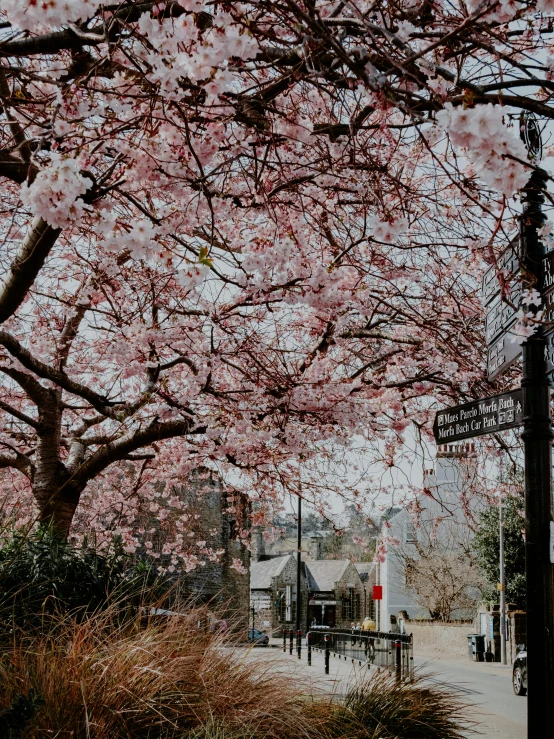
(170, 677)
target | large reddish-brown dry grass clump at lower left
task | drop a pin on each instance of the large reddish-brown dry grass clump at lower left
(167, 678)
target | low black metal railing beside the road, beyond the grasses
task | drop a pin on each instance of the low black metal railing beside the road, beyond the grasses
(379, 648)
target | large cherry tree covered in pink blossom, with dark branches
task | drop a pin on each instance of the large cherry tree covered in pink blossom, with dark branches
(240, 234)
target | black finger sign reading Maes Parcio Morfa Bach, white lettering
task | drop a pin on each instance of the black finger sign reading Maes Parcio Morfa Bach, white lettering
(485, 416)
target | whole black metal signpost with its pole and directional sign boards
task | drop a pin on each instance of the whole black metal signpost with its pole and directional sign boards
(529, 407)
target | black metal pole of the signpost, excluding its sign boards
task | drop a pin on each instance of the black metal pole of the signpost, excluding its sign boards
(537, 439)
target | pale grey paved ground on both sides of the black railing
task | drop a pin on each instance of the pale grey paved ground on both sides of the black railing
(486, 686)
